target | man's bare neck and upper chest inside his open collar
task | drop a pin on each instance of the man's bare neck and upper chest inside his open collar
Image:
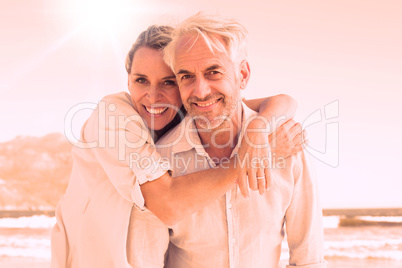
(220, 142)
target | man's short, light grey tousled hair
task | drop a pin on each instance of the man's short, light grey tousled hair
(210, 27)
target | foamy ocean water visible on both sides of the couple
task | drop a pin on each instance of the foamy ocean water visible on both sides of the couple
(29, 237)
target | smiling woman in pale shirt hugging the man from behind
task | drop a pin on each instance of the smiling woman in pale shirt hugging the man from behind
(109, 175)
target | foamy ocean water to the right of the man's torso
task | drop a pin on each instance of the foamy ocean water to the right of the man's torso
(370, 240)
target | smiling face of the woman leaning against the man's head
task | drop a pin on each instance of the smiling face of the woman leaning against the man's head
(153, 88)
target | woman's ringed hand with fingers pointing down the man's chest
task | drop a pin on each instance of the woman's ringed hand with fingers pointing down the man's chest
(254, 157)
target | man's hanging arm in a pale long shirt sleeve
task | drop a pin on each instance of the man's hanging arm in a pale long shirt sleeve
(303, 219)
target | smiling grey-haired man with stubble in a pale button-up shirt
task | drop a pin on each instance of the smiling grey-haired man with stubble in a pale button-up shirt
(208, 56)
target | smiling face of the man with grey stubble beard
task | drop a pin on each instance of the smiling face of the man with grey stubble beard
(209, 88)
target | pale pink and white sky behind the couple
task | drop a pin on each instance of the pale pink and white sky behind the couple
(341, 60)
